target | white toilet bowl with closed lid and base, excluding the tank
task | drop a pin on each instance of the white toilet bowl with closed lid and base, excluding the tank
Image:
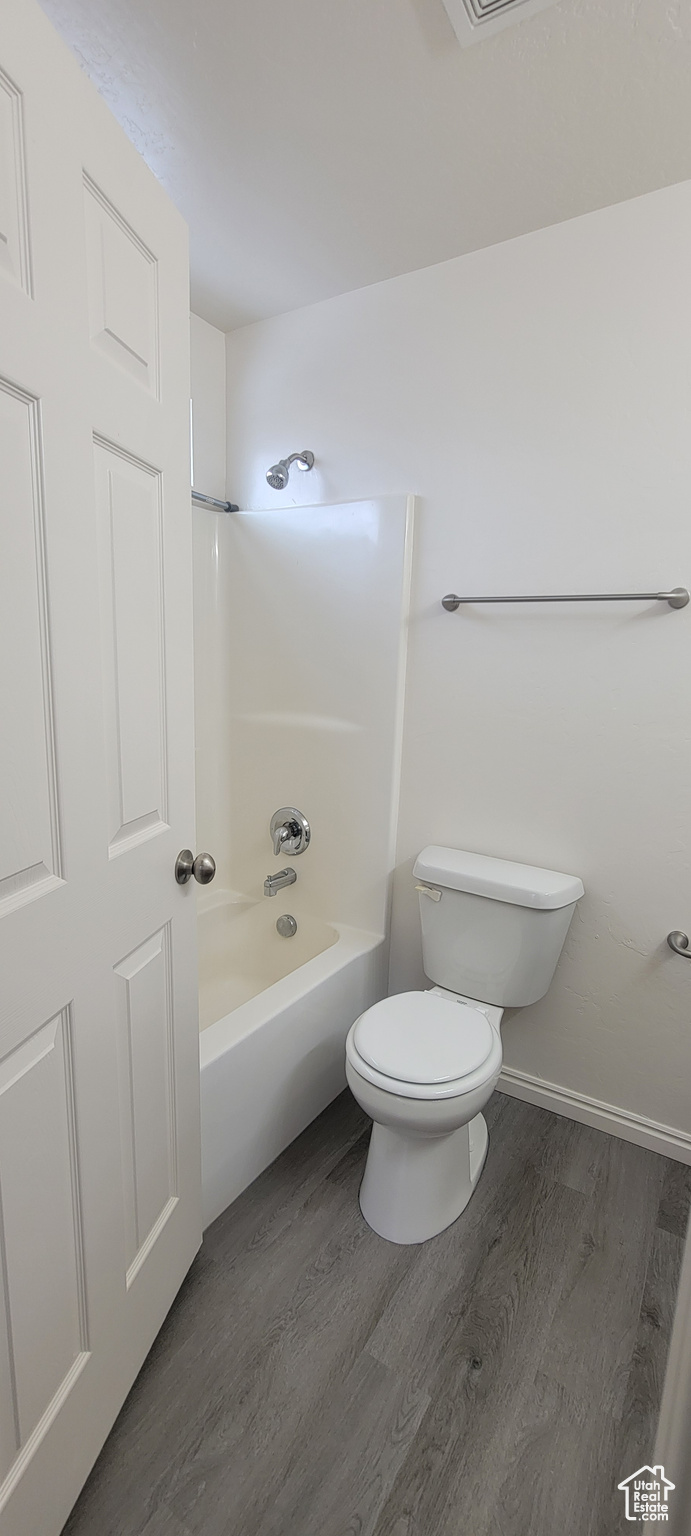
(423, 1065)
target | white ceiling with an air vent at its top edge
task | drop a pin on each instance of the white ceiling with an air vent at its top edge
(317, 147)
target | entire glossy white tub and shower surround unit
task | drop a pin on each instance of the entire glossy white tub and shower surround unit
(302, 618)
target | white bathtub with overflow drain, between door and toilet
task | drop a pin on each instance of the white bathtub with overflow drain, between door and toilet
(274, 1019)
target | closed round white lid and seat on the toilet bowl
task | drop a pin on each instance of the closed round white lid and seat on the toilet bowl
(418, 1047)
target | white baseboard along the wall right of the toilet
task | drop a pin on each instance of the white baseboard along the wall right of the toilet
(593, 1113)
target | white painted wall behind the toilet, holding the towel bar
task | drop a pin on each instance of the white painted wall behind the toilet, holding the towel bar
(537, 396)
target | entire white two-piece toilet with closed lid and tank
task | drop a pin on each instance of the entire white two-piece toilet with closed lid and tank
(423, 1065)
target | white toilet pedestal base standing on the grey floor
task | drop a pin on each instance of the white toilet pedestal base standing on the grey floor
(415, 1187)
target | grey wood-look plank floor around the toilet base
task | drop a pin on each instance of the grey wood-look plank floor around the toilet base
(314, 1380)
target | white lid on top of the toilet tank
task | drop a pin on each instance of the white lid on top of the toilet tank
(500, 879)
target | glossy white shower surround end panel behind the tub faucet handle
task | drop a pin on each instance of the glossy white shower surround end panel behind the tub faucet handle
(317, 607)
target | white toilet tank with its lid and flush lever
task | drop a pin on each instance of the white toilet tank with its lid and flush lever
(492, 930)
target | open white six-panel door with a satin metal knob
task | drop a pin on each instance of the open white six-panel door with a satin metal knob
(99, 1047)
